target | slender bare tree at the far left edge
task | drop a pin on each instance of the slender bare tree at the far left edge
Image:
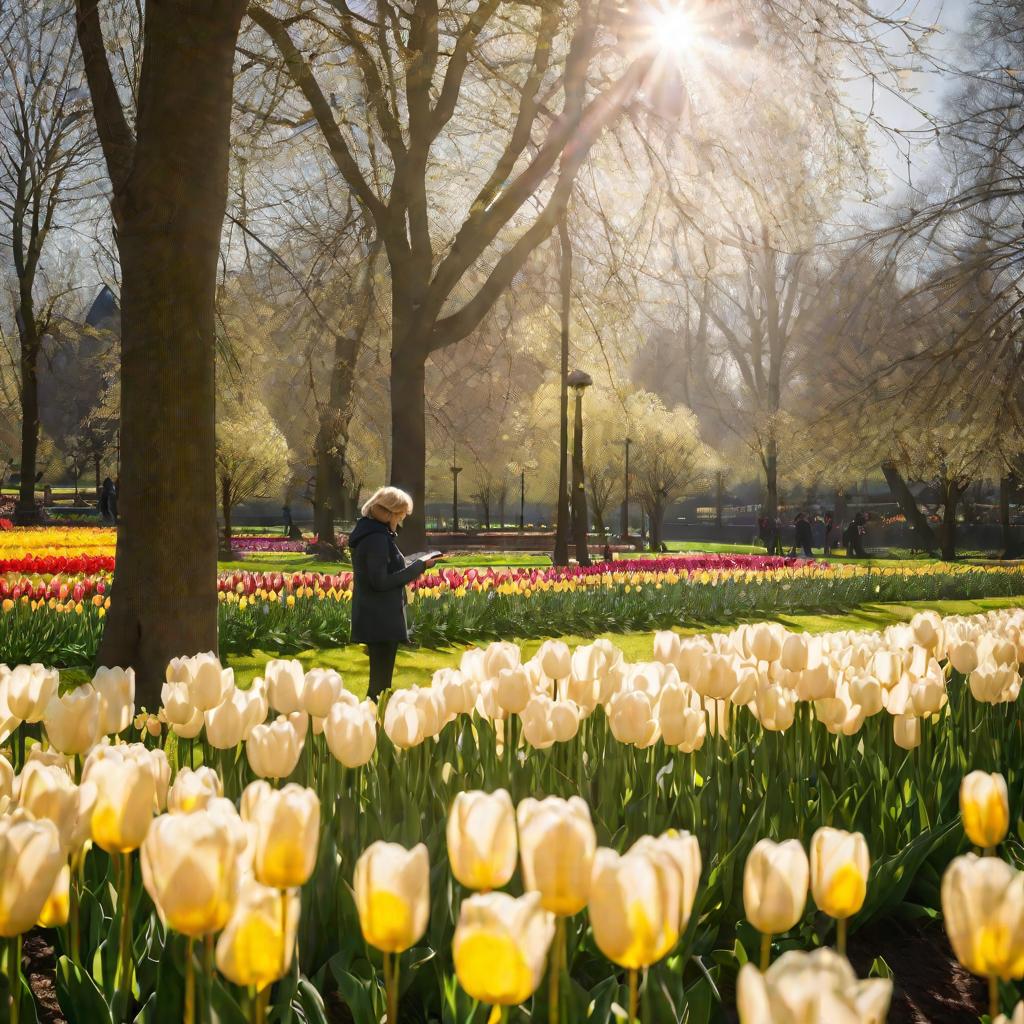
(46, 145)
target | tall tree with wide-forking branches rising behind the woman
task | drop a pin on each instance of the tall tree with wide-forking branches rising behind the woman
(421, 77)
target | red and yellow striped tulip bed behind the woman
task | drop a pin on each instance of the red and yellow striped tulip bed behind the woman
(54, 599)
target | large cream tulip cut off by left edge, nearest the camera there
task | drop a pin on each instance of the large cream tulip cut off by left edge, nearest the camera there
(31, 860)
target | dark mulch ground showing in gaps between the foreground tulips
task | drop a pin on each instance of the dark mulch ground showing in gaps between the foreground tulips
(930, 987)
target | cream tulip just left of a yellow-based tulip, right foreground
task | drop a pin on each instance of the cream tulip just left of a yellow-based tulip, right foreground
(776, 881)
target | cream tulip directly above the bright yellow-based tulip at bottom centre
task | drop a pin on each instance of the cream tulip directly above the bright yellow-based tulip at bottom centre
(482, 839)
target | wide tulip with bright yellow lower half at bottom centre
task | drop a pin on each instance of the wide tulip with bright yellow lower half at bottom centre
(501, 946)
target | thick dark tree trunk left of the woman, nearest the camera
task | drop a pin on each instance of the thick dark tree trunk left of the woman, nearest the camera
(168, 177)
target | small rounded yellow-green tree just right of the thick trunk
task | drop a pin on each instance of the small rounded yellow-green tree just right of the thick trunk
(252, 457)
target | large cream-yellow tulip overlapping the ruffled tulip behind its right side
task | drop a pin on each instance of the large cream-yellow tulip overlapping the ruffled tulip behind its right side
(635, 906)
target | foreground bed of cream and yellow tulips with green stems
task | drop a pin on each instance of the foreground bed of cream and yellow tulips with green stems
(570, 838)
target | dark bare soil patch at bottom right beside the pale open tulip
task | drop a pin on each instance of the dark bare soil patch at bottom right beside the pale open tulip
(929, 988)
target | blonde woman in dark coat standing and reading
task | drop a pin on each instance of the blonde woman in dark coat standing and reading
(380, 574)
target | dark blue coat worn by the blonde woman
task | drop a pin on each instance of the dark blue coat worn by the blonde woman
(379, 578)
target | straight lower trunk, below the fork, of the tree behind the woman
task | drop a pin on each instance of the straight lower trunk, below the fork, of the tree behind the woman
(409, 445)
